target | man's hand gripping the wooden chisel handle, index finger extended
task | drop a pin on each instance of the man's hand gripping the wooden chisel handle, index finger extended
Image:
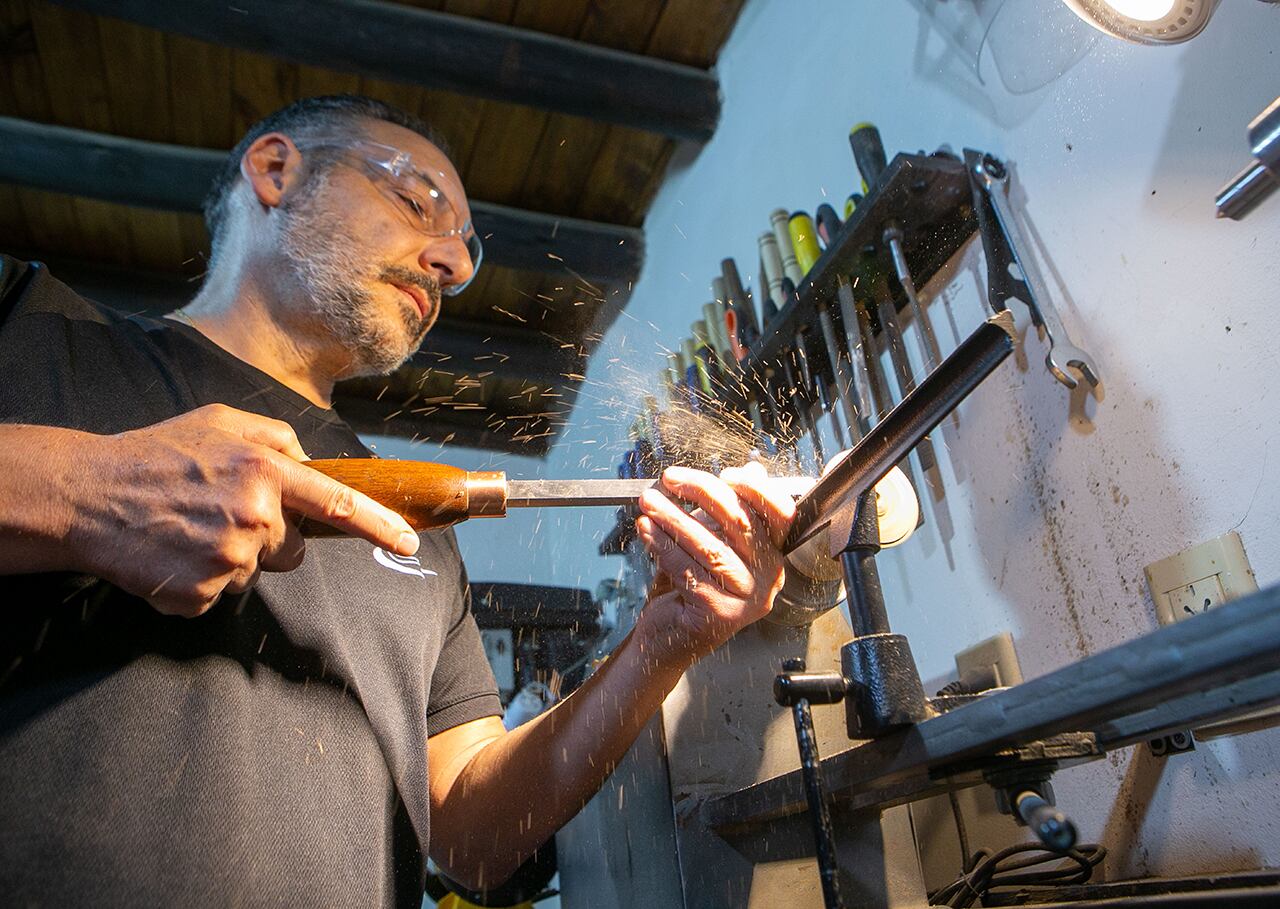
(189, 509)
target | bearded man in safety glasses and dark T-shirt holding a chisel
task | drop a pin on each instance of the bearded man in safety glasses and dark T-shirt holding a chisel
(195, 707)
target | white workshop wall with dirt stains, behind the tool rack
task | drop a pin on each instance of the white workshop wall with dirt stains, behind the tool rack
(1053, 501)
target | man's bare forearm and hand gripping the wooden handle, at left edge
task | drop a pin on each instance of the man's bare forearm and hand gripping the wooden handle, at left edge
(176, 513)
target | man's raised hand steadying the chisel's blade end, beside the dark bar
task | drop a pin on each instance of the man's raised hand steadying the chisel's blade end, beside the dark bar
(720, 569)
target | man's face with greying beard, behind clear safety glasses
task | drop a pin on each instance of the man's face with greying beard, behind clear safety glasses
(373, 281)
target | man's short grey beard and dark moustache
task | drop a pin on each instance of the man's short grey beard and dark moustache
(332, 266)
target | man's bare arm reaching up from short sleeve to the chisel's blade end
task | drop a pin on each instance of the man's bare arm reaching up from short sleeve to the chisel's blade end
(497, 797)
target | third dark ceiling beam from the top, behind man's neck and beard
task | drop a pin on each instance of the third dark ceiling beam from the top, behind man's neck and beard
(451, 346)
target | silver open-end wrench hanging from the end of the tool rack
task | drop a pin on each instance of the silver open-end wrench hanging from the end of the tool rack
(994, 180)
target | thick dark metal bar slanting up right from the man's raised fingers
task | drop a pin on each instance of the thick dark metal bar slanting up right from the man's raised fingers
(915, 418)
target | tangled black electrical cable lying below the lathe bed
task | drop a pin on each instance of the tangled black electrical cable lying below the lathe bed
(986, 871)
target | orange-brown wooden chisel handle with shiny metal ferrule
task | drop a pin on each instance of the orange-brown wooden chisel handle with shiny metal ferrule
(427, 495)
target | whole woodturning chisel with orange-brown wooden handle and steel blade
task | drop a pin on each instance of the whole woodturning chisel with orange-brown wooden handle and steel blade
(432, 496)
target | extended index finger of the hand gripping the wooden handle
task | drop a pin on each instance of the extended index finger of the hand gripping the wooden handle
(316, 496)
